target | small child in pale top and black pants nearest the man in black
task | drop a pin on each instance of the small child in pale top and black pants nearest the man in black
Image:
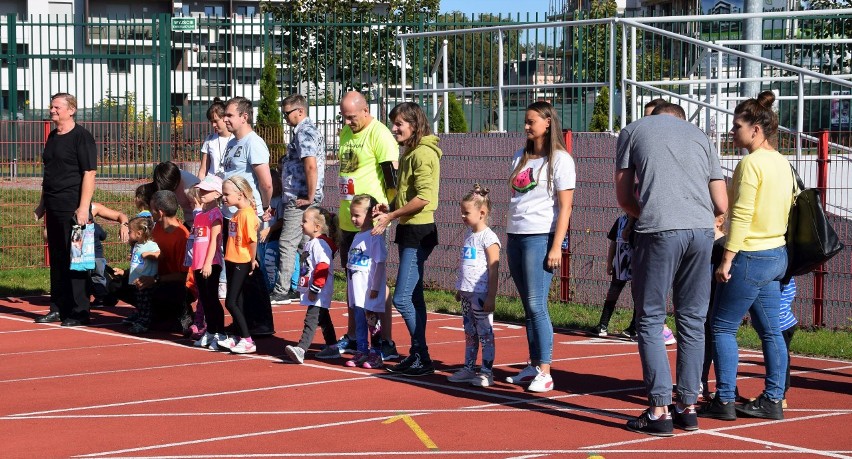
(143, 262)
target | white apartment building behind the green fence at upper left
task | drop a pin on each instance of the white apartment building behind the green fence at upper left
(114, 49)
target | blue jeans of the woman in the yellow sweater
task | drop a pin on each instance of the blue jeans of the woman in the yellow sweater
(754, 288)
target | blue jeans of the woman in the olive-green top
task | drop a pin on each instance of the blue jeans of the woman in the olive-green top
(408, 296)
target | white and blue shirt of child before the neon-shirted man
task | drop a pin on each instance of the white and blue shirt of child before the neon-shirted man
(366, 253)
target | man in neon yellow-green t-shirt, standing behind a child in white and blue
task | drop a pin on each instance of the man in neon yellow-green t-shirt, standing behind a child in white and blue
(368, 160)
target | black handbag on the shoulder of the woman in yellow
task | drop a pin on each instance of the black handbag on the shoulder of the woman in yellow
(811, 241)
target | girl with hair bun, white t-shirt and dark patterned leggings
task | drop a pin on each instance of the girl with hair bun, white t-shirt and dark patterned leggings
(476, 287)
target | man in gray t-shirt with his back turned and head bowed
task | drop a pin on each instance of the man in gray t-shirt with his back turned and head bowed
(681, 189)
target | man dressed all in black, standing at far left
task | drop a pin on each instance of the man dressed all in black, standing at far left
(70, 162)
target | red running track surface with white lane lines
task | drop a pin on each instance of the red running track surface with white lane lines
(99, 392)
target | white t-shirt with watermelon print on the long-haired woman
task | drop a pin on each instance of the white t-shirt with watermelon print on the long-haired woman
(535, 211)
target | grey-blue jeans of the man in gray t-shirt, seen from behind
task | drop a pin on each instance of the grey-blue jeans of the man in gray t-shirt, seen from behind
(676, 260)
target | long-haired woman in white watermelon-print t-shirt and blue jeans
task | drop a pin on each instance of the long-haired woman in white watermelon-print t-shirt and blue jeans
(542, 182)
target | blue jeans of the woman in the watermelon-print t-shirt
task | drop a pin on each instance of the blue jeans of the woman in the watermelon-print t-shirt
(527, 254)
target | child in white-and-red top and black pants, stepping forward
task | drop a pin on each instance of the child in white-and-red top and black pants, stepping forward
(316, 283)
